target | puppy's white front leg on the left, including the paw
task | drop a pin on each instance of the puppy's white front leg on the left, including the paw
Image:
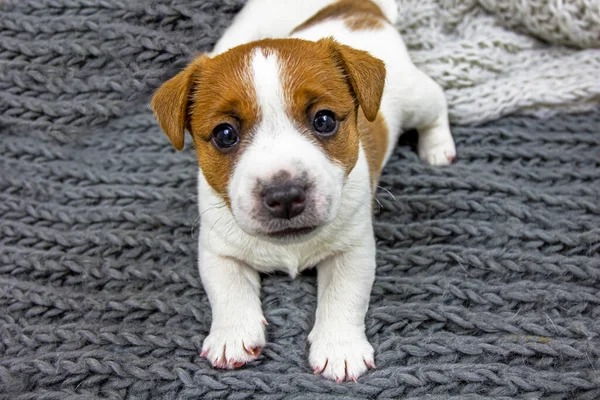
(237, 333)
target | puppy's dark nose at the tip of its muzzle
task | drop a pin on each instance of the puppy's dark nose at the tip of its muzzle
(284, 201)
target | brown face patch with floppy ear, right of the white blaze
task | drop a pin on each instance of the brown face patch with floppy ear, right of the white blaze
(334, 77)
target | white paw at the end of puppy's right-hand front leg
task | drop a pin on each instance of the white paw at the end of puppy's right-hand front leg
(340, 355)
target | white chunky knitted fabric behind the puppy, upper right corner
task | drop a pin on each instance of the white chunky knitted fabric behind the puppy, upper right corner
(499, 57)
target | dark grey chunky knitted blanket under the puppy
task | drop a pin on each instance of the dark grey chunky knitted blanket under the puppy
(488, 279)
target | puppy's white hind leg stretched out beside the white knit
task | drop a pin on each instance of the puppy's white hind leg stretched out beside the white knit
(428, 113)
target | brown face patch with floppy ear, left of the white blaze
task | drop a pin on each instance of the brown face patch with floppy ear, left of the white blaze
(207, 93)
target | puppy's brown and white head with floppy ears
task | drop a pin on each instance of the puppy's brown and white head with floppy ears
(274, 124)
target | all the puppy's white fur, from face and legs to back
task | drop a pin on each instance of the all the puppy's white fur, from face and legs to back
(343, 249)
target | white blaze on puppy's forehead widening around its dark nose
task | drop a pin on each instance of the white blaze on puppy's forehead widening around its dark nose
(278, 146)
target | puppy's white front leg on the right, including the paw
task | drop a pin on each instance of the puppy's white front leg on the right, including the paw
(339, 348)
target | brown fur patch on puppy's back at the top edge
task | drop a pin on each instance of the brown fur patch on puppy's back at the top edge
(357, 15)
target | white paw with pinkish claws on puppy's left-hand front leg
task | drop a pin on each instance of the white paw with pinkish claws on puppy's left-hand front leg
(231, 346)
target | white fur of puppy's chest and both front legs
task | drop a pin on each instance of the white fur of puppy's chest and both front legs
(344, 251)
